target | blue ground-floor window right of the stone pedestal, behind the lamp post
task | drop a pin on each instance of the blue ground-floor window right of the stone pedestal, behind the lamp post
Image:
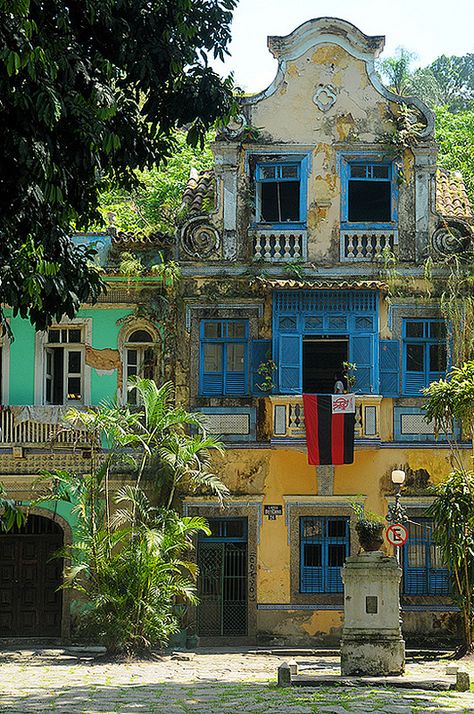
(423, 569)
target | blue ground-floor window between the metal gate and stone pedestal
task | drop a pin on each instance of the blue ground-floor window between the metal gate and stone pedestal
(324, 547)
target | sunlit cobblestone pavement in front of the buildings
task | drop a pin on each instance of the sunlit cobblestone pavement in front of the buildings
(214, 681)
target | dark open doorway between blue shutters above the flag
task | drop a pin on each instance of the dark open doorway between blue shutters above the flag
(323, 358)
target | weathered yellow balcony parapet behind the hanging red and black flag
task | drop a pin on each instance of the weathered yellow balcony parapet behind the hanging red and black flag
(288, 418)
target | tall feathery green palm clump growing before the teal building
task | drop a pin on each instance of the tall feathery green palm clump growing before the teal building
(128, 559)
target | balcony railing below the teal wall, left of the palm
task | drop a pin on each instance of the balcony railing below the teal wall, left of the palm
(41, 426)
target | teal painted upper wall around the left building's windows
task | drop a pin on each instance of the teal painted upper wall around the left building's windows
(105, 331)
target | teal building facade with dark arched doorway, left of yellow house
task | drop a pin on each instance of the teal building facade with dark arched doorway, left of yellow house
(76, 363)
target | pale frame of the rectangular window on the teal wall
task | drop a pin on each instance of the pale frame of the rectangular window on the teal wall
(41, 348)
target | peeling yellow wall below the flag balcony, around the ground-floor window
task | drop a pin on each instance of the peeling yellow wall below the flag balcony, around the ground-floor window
(279, 473)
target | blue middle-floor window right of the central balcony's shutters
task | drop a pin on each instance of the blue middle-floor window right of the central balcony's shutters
(424, 353)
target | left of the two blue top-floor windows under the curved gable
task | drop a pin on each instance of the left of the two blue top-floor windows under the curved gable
(281, 193)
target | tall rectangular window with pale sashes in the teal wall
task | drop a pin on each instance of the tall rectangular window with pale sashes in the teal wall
(64, 365)
